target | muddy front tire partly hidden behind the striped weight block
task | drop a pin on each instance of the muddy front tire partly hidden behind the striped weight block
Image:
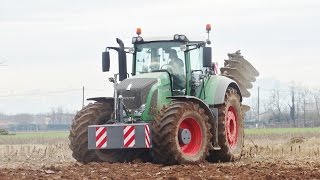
(93, 114)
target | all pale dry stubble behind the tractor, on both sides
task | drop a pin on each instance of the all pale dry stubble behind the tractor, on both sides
(44, 150)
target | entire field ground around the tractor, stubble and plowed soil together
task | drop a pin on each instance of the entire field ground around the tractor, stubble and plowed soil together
(291, 153)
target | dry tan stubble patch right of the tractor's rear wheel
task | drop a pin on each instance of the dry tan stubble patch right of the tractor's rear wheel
(291, 147)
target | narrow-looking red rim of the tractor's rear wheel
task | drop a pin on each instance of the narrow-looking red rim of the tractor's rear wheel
(232, 129)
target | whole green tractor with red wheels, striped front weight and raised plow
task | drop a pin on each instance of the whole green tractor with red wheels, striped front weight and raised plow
(174, 109)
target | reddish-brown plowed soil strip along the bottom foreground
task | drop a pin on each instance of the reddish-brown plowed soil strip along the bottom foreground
(238, 170)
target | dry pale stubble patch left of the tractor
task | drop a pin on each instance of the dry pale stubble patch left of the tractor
(34, 149)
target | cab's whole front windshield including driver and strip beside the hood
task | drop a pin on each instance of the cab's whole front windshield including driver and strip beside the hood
(162, 56)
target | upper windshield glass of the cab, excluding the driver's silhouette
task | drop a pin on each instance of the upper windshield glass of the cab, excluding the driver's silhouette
(156, 56)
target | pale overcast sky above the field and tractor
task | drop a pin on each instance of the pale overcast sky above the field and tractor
(51, 48)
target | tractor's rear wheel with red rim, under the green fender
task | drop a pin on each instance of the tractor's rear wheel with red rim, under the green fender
(230, 128)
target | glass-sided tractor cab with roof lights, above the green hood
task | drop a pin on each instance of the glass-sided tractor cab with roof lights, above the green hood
(187, 62)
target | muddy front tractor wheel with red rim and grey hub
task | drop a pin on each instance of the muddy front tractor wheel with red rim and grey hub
(181, 134)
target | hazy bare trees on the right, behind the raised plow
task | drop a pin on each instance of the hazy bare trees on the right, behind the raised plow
(295, 106)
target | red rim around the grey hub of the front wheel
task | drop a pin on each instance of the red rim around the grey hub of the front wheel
(193, 126)
